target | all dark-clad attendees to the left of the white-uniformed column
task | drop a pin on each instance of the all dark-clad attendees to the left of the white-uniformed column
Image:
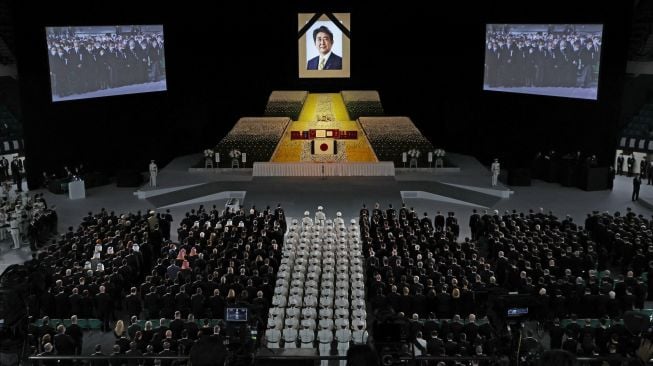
(120, 267)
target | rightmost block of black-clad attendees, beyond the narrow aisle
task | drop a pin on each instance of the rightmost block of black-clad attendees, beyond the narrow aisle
(557, 261)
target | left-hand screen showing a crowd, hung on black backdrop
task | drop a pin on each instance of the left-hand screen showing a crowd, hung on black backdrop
(89, 62)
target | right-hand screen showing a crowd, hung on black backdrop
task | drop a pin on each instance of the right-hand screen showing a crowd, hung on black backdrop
(558, 60)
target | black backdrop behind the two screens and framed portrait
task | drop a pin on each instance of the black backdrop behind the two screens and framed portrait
(424, 58)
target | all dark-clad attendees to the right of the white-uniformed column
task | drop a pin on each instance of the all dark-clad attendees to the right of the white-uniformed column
(418, 270)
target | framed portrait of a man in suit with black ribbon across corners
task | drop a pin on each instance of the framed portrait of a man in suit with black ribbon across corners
(324, 45)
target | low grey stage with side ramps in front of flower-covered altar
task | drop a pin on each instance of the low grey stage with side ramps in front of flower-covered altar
(466, 185)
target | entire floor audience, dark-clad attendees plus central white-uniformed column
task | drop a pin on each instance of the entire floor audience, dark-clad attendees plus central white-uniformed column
(120, 269)
